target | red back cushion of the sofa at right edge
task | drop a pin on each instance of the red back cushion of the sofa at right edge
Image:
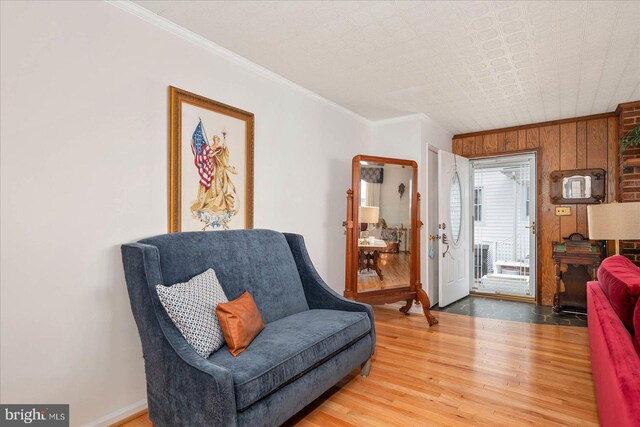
(620, 281)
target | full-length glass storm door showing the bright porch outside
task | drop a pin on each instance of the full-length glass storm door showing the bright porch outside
(504, 244)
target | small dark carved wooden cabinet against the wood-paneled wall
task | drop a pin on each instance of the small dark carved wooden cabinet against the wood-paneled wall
(576, 262)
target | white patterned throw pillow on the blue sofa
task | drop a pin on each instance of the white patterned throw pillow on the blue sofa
(192, 307)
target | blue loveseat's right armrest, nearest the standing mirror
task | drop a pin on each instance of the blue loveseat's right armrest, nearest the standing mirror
(319, 295)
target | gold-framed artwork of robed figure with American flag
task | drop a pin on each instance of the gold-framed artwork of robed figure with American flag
(210, 164)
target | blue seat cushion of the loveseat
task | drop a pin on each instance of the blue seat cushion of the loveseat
(288, 348)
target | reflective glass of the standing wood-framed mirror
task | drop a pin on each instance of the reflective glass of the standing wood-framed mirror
(384, 215)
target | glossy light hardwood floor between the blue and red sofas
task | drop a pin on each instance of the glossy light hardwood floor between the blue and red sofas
(467, 371)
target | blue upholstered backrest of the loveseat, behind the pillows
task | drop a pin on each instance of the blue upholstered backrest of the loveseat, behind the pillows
(258, 261)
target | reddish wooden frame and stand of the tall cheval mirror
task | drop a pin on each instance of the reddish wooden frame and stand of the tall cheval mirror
(413, 291)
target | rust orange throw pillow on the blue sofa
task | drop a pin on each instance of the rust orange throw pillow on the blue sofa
(240, 321)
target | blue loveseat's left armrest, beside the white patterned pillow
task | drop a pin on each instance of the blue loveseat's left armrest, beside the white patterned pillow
(183, 389)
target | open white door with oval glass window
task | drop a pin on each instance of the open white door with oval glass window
(454, 229)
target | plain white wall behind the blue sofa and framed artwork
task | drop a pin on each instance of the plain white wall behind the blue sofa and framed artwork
(83, 169)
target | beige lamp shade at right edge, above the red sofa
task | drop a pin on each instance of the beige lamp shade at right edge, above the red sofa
(614, 221)
